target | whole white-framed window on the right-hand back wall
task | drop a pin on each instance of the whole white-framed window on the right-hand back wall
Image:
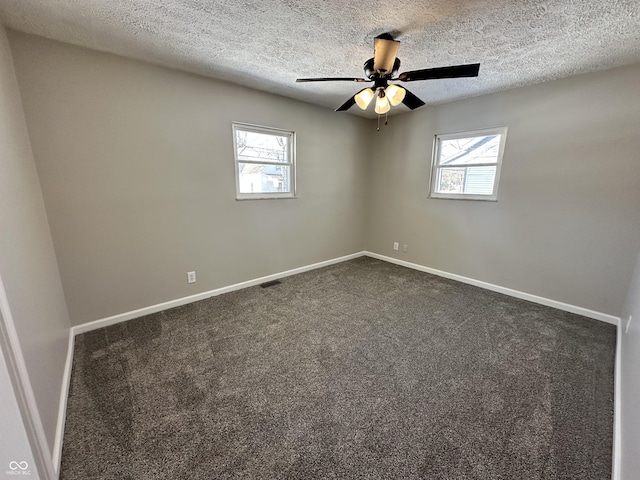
(467, 165)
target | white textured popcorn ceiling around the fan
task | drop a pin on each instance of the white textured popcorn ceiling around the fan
(267, 44)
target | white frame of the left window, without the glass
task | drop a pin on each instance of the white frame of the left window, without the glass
(246, 127)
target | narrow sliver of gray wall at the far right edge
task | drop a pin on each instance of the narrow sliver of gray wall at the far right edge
(630, 398)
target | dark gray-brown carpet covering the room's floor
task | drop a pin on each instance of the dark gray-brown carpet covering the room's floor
(363, 369)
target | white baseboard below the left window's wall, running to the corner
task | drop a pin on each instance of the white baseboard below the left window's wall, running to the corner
(123, 317)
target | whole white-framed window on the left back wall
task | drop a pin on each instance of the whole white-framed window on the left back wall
(265, 162)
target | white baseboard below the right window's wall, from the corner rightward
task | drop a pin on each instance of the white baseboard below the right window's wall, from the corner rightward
(585, 312)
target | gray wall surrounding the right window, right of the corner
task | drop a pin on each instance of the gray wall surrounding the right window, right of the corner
(566, 225)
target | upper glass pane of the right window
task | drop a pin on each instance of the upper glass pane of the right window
(468, 151)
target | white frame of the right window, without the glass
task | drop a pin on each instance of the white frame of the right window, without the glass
(502, 131)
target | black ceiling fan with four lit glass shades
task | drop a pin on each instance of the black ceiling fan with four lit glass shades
(382, 69)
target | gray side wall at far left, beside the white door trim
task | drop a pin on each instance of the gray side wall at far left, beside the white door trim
(27, 260)
